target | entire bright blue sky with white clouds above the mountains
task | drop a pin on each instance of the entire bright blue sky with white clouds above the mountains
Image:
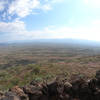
(49, 19)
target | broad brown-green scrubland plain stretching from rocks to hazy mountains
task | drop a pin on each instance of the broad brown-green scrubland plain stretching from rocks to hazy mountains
(20, 63)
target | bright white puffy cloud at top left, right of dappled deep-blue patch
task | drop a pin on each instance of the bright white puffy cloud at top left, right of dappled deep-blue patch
(23, 8)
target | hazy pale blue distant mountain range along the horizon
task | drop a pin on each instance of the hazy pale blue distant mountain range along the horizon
(68, 41)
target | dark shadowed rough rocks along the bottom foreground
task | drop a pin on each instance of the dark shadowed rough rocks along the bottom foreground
(77, 89)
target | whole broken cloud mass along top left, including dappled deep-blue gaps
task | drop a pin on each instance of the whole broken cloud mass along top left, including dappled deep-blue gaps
(22, 8)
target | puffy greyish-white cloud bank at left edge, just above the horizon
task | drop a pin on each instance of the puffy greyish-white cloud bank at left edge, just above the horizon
(11, 31)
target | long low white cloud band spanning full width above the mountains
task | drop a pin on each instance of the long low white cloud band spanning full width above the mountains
(17, 31)
